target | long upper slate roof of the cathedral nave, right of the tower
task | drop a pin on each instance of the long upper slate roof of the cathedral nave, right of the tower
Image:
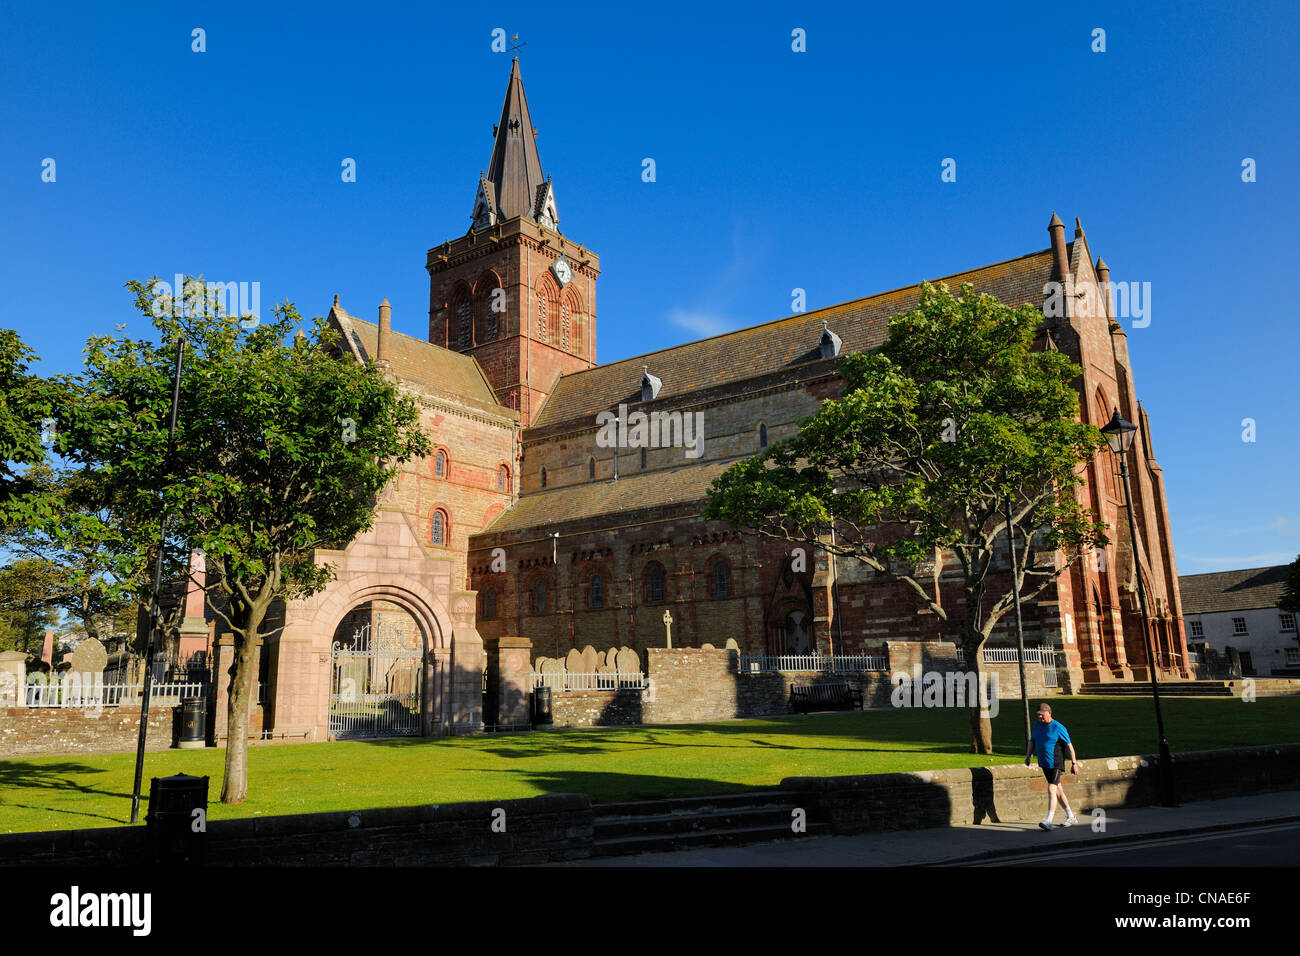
(735, 357)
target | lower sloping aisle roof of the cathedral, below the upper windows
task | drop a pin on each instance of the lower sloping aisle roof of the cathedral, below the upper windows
(640, 490)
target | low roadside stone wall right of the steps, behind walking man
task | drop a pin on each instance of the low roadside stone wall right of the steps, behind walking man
(1016, 793)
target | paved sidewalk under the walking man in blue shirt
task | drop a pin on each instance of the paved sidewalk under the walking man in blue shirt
(977, 842)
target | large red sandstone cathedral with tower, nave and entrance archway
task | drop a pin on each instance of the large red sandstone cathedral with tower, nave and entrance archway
(528, 529)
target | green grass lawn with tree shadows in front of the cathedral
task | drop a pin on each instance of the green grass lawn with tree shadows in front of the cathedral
(617, 764)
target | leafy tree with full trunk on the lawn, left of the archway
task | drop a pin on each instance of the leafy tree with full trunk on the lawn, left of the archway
(281, 449)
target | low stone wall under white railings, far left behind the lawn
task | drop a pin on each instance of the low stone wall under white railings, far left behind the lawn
(36, 732)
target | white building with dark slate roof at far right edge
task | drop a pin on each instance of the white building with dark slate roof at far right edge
(1240, 609)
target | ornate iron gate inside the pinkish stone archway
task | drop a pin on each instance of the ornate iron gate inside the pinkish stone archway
(375, 685)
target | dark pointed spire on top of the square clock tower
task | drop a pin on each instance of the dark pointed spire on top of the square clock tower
(514, 181)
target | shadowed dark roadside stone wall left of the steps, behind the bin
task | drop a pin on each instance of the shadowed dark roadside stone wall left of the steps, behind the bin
(538, 830)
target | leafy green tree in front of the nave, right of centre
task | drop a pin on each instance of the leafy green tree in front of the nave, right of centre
(931, 434)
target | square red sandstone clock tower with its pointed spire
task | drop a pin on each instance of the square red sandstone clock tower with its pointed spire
(514, 292)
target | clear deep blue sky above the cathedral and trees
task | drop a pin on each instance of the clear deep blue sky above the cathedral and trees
(775, 171)
